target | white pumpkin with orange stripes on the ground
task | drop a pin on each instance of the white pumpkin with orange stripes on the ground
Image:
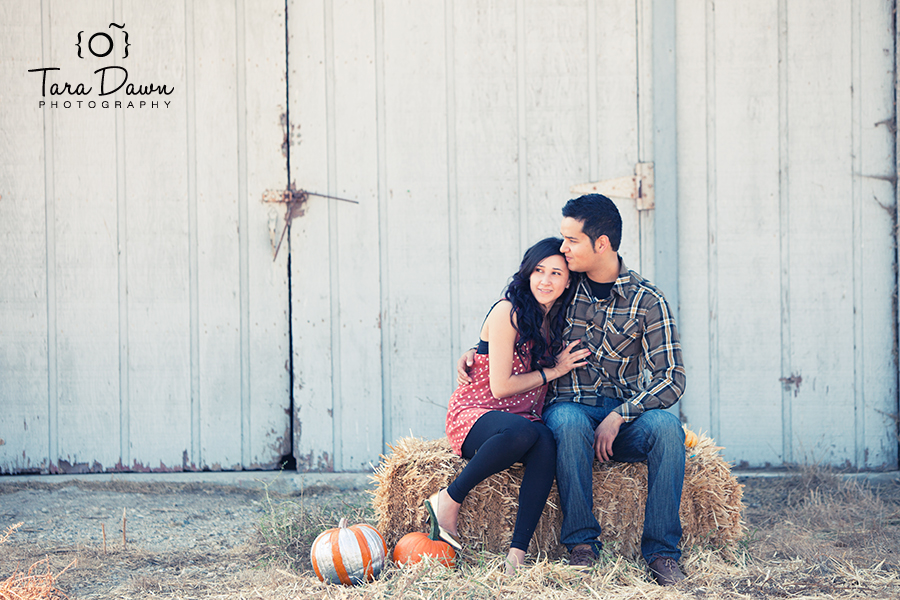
(348, 555)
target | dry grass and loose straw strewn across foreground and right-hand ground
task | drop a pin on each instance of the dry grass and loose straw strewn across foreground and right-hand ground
(811, 534)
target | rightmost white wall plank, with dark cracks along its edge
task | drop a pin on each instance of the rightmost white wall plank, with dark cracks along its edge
(876, 375)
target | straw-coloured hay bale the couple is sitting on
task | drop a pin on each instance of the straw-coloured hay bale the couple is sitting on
(710, 503)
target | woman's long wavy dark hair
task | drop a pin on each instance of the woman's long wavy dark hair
(528, 313)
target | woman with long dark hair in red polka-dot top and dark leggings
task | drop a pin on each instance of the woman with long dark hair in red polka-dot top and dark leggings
(496, 420)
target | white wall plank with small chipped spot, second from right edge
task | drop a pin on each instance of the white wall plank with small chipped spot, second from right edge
(821, 267)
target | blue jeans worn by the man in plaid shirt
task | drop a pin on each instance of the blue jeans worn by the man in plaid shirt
(656, 436)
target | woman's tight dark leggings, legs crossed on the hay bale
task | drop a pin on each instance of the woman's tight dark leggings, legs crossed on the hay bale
(498, 440)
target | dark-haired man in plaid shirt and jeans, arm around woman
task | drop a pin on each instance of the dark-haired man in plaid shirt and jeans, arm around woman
(611, 407)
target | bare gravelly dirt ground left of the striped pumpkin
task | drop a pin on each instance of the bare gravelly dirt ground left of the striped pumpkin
(177, 537)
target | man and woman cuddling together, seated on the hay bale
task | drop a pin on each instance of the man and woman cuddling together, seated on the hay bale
(557, 380)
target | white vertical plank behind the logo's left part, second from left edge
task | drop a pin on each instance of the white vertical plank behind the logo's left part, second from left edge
(86, 249)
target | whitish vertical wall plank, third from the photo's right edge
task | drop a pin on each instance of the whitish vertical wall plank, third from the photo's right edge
(746, 92)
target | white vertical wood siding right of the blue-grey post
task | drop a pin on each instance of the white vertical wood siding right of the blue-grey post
(786, 157)
